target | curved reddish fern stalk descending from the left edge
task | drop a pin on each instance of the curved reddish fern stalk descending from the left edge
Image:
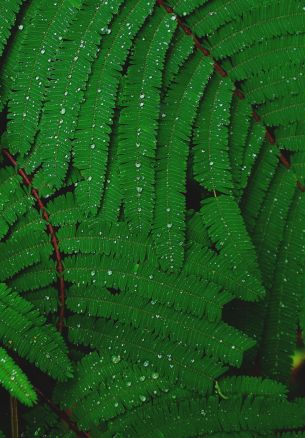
(59, 266)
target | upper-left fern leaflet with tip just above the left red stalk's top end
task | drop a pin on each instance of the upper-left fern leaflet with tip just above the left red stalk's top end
(39, 48)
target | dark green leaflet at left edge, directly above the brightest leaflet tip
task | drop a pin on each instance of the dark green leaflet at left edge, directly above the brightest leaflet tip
(24, 330)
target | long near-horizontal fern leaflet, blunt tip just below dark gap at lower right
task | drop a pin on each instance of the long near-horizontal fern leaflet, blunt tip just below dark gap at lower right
(214, 338)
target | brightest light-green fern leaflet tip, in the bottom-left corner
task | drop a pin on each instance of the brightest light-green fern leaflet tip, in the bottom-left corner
(15, 381)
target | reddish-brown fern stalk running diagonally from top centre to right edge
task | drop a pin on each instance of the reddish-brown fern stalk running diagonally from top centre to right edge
(239, 93)
